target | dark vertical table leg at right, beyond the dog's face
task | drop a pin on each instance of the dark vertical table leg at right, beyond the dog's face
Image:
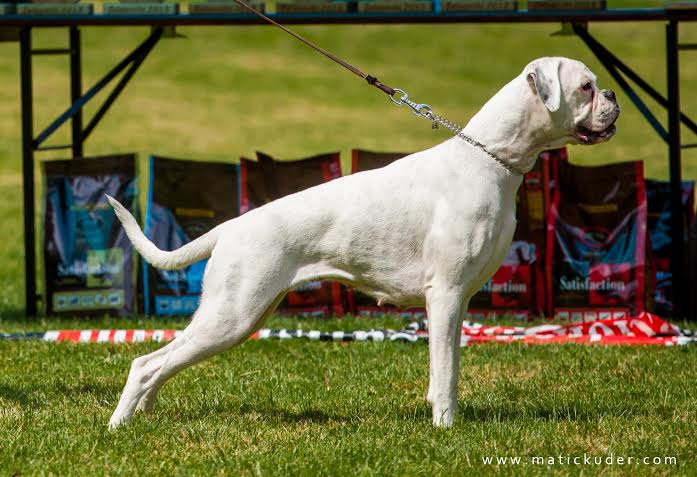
(678, 258)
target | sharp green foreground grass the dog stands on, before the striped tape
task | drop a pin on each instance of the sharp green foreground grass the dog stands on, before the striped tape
(300, 408)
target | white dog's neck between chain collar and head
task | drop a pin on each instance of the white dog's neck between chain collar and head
(518, 136)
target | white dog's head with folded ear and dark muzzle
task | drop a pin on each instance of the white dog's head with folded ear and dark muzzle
(572, 109)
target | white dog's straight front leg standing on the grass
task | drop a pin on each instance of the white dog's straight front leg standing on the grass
(445, 310)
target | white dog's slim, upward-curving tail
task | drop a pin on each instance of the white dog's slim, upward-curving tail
(190, 253)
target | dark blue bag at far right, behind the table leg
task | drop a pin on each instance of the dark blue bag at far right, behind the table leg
(659, 218)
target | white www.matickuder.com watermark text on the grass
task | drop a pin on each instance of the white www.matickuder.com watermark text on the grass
(579, 460)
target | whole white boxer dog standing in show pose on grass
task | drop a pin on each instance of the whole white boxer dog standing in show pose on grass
(429, 229)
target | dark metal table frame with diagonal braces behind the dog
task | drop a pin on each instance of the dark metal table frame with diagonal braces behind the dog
(617, 69)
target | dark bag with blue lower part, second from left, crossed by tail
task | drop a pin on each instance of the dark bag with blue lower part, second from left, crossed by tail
(185, 200)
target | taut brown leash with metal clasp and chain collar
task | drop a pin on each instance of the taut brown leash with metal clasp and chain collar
(419, 109)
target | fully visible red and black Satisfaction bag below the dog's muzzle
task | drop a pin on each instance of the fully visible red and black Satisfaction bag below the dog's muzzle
(597, 239)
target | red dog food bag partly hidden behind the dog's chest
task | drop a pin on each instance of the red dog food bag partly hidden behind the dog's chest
(517, 287)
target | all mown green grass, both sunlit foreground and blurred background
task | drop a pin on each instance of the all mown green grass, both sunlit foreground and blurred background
(299, 408)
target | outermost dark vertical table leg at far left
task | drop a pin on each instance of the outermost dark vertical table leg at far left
(28, 171)
